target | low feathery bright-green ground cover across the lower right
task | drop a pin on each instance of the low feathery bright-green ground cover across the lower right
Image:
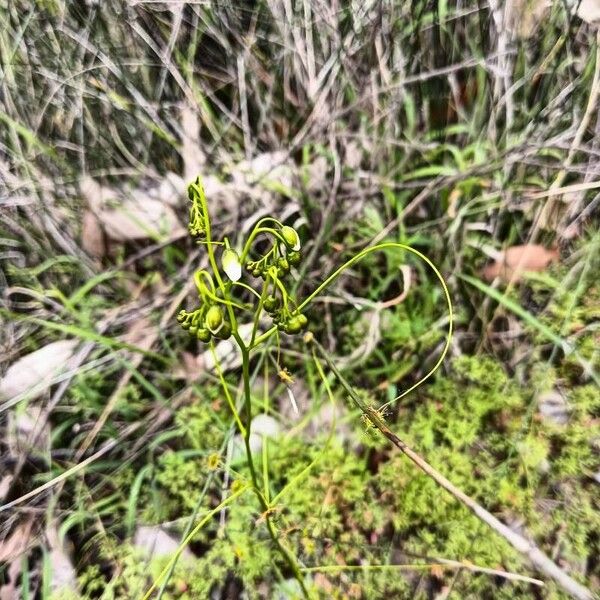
(470, 426)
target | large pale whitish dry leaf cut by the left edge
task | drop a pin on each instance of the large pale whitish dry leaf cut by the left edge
(34, 372)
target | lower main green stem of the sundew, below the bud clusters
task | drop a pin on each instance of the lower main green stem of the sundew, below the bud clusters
(265, 507)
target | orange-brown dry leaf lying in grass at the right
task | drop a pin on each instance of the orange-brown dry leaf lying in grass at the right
(516, 260)
